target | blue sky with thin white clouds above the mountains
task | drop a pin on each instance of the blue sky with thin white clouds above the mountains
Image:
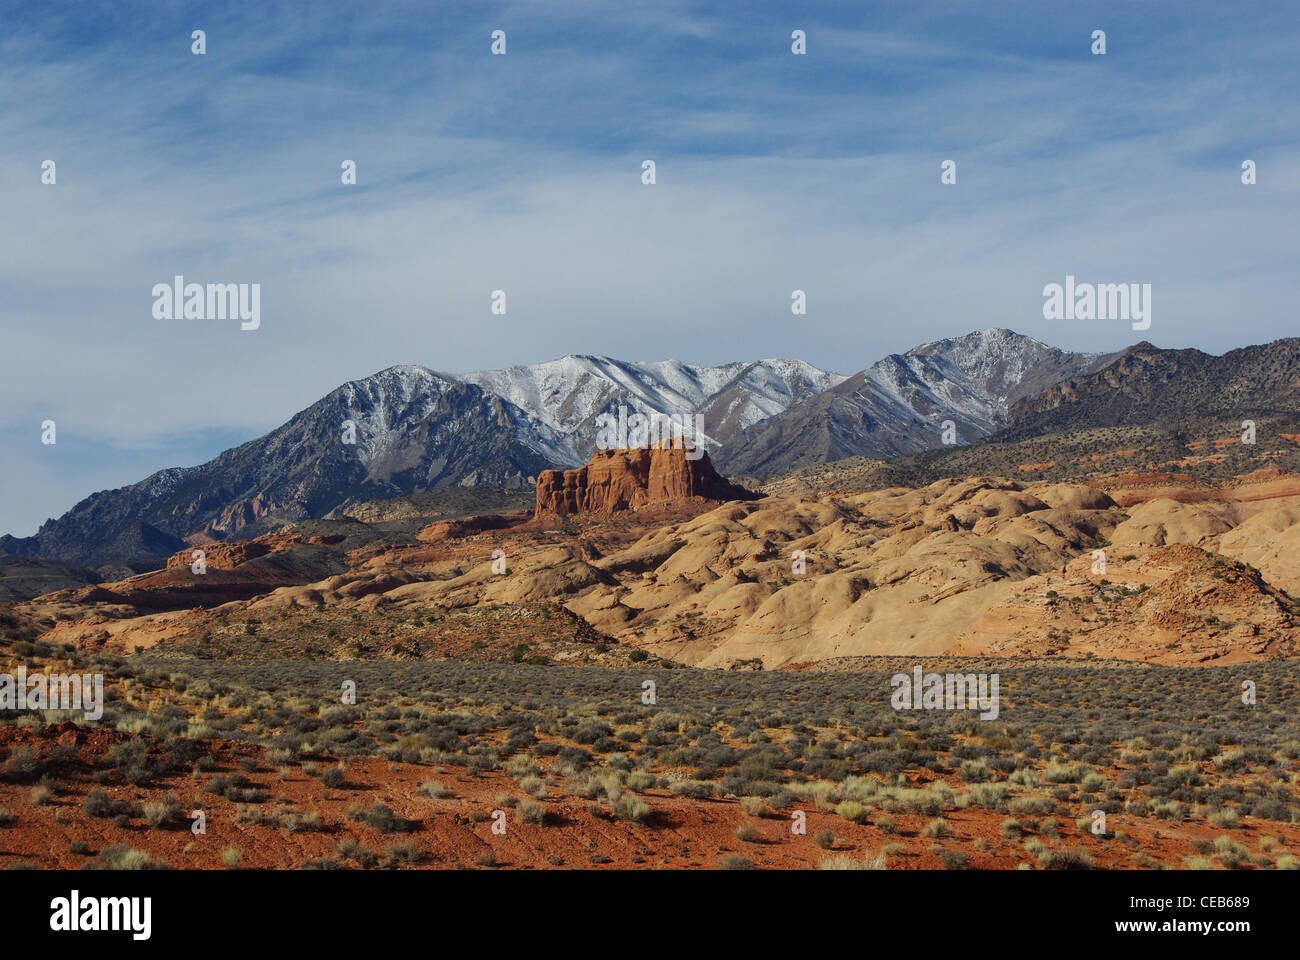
(522, 172)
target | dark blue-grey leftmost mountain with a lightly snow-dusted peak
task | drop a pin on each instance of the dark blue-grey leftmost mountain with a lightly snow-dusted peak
(414, 431)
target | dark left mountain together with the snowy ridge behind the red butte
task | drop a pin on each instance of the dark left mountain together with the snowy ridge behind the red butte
(406, 430)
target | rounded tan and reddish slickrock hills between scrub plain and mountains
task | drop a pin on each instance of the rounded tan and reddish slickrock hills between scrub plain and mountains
(1193, 574)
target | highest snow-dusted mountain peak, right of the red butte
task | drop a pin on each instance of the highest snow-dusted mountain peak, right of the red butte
(900, 404)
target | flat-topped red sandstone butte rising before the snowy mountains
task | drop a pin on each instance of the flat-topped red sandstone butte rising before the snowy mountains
(622, 479)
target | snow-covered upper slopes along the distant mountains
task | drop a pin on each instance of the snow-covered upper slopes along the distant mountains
(553, 407)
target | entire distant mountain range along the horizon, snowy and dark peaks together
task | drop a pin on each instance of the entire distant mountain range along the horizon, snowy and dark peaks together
(418, 430)
